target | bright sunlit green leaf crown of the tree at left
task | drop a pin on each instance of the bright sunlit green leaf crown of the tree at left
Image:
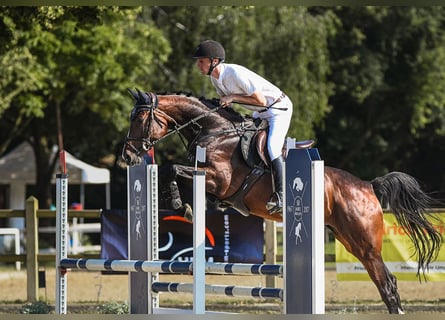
(81, 58)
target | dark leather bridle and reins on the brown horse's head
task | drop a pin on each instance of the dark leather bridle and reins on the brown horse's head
(150, 104)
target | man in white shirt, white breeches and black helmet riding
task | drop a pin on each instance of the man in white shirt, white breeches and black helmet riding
(235, 83)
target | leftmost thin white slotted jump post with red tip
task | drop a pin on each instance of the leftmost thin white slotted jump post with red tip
(61, 236)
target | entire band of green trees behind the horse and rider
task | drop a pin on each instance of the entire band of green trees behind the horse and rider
(366, 82)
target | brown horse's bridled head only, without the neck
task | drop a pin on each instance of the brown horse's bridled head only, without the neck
(146, 127)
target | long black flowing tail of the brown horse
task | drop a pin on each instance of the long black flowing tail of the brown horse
(403, 195)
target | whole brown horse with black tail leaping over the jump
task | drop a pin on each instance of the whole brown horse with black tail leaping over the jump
(352, 207)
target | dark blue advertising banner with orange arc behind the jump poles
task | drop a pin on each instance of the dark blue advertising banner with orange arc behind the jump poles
(230, 237)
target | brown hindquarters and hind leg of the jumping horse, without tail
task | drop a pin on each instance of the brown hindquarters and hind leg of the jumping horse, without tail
(354, 214)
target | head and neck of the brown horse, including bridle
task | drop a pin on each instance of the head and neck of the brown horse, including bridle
(155, 118)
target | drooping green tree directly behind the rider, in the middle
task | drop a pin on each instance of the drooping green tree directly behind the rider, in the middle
(288, 45)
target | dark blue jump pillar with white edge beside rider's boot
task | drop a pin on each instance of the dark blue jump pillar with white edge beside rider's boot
(303, 232)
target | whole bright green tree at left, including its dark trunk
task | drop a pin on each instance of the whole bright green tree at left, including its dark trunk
(78, 59)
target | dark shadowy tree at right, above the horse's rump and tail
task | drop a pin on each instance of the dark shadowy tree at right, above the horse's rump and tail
(387, 66)
